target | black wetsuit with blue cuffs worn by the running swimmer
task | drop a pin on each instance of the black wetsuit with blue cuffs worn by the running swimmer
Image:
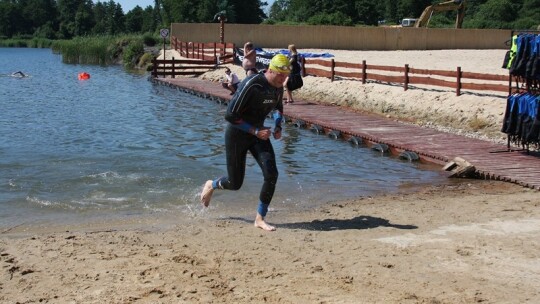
(246, 113)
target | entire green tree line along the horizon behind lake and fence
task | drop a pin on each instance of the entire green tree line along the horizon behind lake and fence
(65, 19)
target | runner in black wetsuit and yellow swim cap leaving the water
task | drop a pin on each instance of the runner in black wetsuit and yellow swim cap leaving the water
(256, 97)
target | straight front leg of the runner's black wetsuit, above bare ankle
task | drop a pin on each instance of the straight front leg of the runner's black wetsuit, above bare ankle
(263, 152)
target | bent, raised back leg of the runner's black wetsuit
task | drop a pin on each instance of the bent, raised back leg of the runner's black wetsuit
(237, 143)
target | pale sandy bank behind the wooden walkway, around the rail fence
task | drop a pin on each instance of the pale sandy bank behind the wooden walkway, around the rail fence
(474, 113)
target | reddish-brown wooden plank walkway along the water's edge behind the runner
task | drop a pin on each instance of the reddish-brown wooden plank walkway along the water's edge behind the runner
(491, 160)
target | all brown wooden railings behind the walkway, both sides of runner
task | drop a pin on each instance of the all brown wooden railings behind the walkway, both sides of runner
(205, 54)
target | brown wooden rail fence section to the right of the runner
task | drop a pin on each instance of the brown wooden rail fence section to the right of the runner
(406, 75)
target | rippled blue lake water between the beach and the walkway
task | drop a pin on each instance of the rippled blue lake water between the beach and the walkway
(117, 146)
